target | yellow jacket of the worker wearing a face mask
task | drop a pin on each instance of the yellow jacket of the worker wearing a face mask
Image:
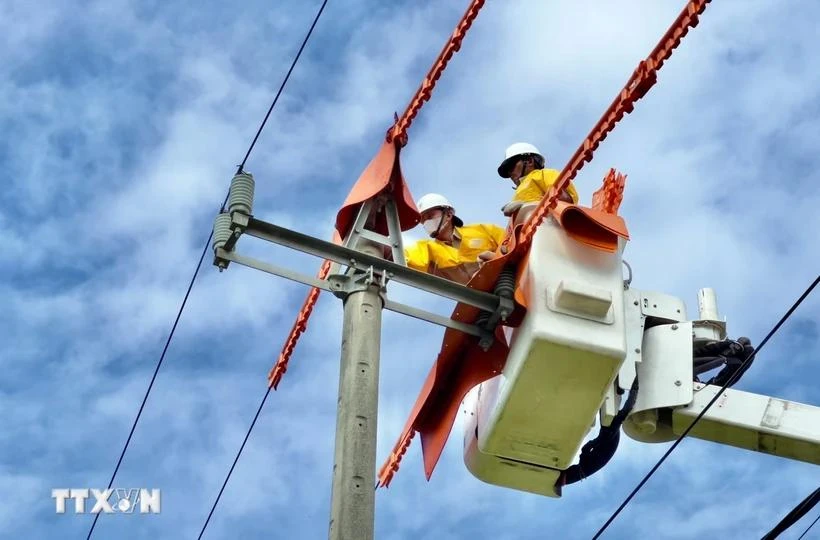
(457, 262)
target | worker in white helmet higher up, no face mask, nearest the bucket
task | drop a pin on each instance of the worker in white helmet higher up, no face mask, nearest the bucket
(524, 165)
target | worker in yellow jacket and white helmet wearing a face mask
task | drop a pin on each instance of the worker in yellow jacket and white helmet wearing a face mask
(455, 251)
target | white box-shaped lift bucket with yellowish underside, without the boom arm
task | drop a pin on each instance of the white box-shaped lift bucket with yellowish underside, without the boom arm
(563, 358)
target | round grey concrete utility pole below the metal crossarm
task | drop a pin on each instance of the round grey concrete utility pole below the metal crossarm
(354, 464)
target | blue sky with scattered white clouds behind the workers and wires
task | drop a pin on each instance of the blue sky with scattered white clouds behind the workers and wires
(124, 122)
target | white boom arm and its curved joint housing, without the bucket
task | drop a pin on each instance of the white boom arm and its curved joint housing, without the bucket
(741, 419)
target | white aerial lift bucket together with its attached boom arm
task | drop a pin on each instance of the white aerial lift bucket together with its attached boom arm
(582, 327)
